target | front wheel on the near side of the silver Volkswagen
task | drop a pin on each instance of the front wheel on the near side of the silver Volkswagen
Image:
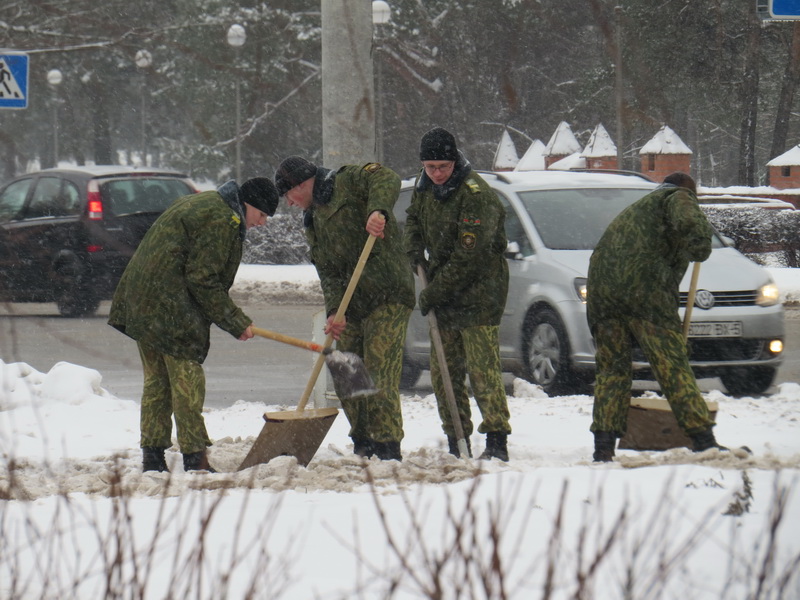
(546, 352)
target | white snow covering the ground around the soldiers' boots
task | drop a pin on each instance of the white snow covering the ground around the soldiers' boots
(79, 519)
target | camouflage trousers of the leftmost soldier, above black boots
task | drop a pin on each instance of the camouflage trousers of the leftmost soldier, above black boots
(172, 386)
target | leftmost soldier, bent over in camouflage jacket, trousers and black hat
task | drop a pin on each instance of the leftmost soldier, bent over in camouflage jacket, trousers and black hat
(175, 286)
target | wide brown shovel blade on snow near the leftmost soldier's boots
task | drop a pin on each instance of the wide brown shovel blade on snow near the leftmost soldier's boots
(297, 433)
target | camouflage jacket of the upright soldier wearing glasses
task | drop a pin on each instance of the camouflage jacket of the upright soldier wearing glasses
(462, 229)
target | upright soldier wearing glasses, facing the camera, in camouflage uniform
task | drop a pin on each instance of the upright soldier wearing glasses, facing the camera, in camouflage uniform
(457, 219)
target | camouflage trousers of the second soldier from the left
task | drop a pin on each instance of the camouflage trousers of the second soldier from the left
(379, 340)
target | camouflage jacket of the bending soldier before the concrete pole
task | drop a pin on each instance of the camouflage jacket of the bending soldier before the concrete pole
(335, 229)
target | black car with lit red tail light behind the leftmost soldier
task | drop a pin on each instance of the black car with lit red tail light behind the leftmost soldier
(67, 234)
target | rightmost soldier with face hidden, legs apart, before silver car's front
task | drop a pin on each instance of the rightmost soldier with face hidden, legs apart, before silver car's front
(634, 275)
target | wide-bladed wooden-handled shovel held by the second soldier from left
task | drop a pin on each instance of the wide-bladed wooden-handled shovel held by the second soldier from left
(299, 432)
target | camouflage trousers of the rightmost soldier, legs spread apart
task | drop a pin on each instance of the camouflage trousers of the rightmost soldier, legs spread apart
(666, 352)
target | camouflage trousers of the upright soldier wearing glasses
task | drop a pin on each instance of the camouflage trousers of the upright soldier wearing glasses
(474, 351)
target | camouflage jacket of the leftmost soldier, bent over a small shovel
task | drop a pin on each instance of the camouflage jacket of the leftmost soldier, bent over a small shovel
(177, 281)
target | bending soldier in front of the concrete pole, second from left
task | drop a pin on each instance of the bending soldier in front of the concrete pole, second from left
(341, 209)
